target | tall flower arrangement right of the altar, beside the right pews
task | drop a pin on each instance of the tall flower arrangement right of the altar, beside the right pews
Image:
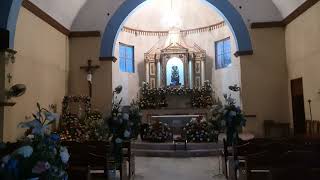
(234, 120)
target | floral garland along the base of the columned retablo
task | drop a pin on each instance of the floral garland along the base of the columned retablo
(156, 98)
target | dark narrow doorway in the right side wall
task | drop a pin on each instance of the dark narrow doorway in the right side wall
(298, 106)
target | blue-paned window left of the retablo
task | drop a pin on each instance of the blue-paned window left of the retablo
(126, 58)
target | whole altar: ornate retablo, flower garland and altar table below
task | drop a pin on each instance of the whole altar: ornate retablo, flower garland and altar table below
(175, 89)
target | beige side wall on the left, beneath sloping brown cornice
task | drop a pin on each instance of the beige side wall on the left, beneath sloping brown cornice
(42, 64)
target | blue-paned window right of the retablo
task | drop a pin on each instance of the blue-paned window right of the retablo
(223, 53)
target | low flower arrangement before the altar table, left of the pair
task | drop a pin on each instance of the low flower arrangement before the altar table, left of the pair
(158, 132)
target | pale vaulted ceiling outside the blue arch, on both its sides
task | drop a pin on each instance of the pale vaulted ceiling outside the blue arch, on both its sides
(88, 15)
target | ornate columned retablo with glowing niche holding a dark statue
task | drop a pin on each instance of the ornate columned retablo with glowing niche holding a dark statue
(174, 63)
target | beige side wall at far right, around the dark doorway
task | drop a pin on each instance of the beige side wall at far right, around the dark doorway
(302, 37)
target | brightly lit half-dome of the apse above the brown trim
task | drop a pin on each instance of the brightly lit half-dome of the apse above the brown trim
(184, 15)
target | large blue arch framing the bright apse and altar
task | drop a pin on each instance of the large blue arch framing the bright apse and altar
(226, 9)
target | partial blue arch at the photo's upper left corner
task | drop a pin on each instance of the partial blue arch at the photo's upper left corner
(9, 11)
